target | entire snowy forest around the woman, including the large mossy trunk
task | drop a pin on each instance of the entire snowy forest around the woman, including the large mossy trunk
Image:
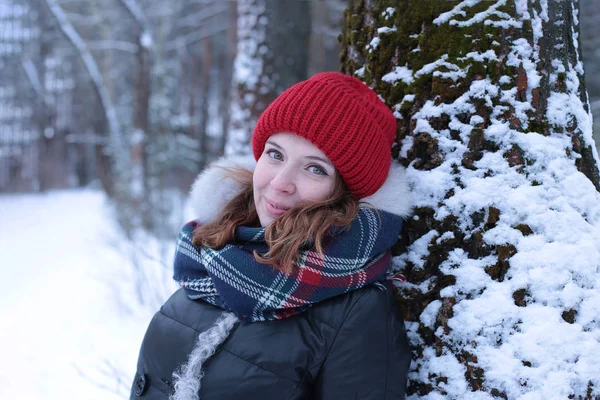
(110, 108)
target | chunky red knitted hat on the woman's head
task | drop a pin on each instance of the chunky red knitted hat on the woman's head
(341, 116)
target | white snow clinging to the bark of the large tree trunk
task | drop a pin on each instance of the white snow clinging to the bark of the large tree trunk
(527, 352)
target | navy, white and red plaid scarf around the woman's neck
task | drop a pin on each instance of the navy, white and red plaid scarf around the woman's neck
(232, 279)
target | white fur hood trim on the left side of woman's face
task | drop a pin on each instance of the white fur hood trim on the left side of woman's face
(213, 189)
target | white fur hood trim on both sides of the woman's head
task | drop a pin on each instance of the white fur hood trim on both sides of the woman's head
(213, 189)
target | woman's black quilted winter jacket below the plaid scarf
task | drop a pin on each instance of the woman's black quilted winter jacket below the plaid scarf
(350, 347)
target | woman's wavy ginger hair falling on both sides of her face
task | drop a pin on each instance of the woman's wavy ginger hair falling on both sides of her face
(304, 225)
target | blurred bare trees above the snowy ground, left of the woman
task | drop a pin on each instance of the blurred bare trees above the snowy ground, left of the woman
(134, 97)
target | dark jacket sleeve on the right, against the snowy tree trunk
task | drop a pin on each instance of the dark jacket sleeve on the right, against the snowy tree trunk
(370, 356)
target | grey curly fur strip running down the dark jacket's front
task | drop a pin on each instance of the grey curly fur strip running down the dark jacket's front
(187, 382)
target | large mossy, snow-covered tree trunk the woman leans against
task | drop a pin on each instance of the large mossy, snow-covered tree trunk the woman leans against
(503, 255)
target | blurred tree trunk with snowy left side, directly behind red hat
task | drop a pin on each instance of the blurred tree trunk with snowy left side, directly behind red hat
(267, 30)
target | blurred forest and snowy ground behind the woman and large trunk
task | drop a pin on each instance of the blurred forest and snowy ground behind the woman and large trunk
(108, 111)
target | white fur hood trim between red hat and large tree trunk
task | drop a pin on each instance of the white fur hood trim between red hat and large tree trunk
(394, 195)
